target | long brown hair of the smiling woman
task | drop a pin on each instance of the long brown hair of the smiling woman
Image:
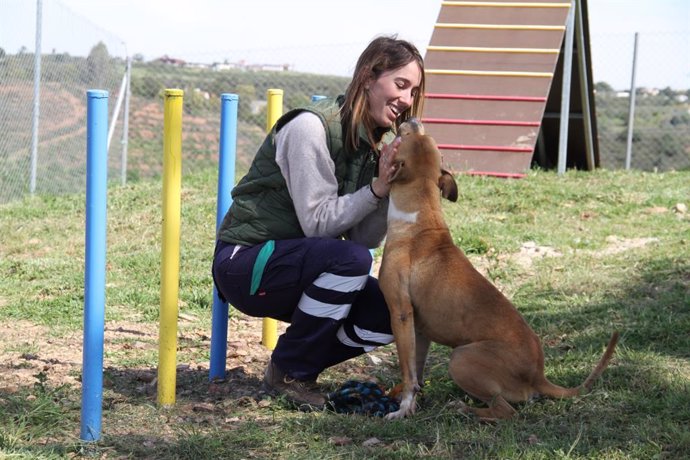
(381, 55)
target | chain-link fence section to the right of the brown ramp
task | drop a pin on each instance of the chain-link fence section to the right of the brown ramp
(660, 137)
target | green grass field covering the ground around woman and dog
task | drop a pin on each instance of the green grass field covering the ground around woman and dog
(612, 254)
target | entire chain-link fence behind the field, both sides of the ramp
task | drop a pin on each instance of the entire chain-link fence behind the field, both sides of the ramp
(661, 138)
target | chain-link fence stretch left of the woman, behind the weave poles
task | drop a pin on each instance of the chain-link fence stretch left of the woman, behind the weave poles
(59, 147)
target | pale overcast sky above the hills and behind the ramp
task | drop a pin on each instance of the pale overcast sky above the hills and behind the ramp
(329, 34)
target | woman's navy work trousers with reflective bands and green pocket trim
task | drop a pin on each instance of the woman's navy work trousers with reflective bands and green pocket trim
(322, 287)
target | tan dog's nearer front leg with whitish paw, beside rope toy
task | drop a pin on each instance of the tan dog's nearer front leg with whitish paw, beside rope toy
(402, 323)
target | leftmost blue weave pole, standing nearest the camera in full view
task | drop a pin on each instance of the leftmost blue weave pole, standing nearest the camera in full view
(94, 264)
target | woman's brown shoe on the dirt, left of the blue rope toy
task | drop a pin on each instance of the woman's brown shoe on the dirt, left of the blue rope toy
(304, 394)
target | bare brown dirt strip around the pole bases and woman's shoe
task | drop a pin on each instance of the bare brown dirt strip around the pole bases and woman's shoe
(30, 354)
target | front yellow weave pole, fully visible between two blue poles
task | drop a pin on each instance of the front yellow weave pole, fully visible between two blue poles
(170, 258)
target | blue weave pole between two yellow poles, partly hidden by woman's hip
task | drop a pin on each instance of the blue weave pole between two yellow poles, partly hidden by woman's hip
(226, 181)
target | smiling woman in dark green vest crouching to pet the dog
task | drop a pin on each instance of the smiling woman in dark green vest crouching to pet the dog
(295, 243)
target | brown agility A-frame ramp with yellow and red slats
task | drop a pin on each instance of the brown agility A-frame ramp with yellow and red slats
(509, 84)
